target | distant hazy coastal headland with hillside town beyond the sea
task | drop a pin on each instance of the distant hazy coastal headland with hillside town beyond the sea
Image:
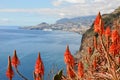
(77, 24)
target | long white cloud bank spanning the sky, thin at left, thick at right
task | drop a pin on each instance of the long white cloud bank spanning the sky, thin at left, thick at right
(82, 8)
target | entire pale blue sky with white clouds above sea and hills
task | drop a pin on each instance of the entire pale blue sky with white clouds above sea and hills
(33, 12)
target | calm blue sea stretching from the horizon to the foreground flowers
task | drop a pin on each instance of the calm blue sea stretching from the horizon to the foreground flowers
(28, 43)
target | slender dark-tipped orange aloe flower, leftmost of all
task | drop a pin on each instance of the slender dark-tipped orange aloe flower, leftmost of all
(9, 72)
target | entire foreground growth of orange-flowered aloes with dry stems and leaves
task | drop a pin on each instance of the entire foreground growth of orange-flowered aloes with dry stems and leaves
(102, 61)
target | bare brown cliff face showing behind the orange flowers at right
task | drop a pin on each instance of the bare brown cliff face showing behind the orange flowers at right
(87, 39)
